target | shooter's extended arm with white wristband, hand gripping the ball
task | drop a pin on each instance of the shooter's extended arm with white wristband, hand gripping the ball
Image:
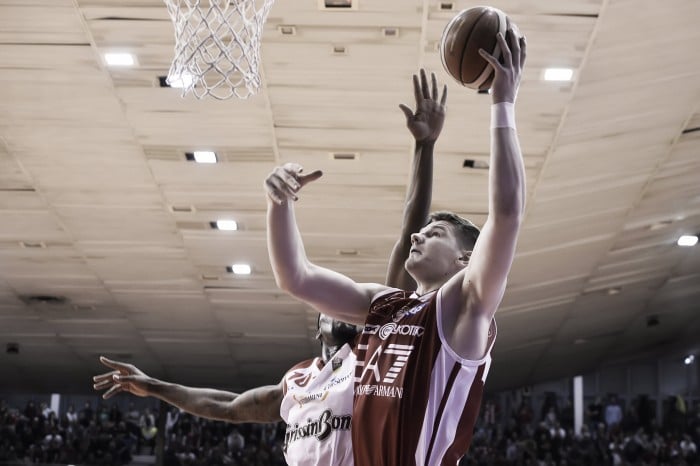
(472, 296)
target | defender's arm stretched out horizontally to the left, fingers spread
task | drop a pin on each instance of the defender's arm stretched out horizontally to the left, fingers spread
(260, 404)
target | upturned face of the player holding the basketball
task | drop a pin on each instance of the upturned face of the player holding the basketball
(435, 250)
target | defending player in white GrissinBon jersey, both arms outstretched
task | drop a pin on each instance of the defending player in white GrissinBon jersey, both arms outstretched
(314, 397)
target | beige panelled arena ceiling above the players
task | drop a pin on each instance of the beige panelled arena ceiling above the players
(106, 244)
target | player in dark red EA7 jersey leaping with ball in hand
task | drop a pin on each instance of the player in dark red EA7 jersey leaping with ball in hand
(423, 357)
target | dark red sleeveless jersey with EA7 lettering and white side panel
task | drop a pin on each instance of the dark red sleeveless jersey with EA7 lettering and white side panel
(415, 400)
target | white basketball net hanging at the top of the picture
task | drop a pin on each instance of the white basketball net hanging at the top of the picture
(217, 46)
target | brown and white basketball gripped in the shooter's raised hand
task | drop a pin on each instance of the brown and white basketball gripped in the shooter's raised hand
(464, 35)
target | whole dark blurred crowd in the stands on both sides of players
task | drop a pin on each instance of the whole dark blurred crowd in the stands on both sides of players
(108, 435)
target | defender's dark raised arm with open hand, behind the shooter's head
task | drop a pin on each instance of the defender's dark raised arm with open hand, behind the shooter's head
(425, 125)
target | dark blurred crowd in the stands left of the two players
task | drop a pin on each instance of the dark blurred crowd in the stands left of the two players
(111, 436)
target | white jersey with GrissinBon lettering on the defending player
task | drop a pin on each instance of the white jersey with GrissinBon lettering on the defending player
(317, 407)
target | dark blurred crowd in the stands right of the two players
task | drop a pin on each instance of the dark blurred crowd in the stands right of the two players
(610, 434)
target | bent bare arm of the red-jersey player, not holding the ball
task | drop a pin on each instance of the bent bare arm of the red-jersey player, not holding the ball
(328, 291)
